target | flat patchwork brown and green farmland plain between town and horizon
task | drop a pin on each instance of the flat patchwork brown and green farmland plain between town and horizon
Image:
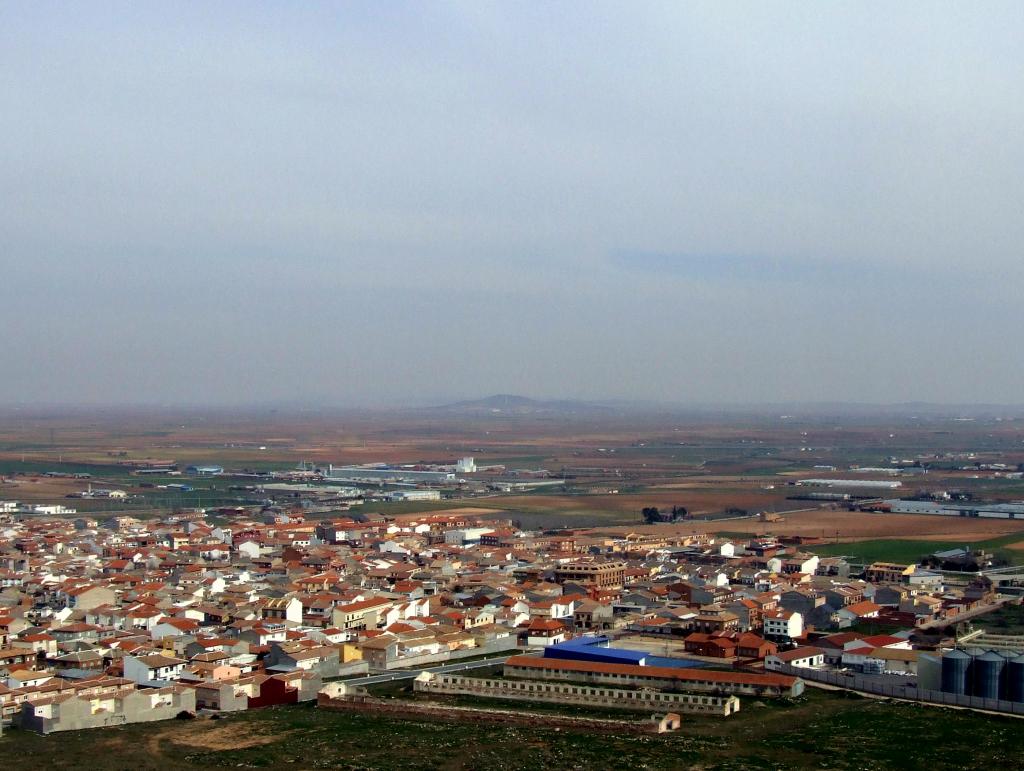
(707, 463)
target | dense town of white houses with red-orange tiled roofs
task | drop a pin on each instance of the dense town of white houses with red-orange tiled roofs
(107, 622)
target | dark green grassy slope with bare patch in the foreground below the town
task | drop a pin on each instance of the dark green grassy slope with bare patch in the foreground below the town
(823, 731)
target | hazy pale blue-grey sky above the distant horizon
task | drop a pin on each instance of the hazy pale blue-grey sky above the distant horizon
(363, 203)
